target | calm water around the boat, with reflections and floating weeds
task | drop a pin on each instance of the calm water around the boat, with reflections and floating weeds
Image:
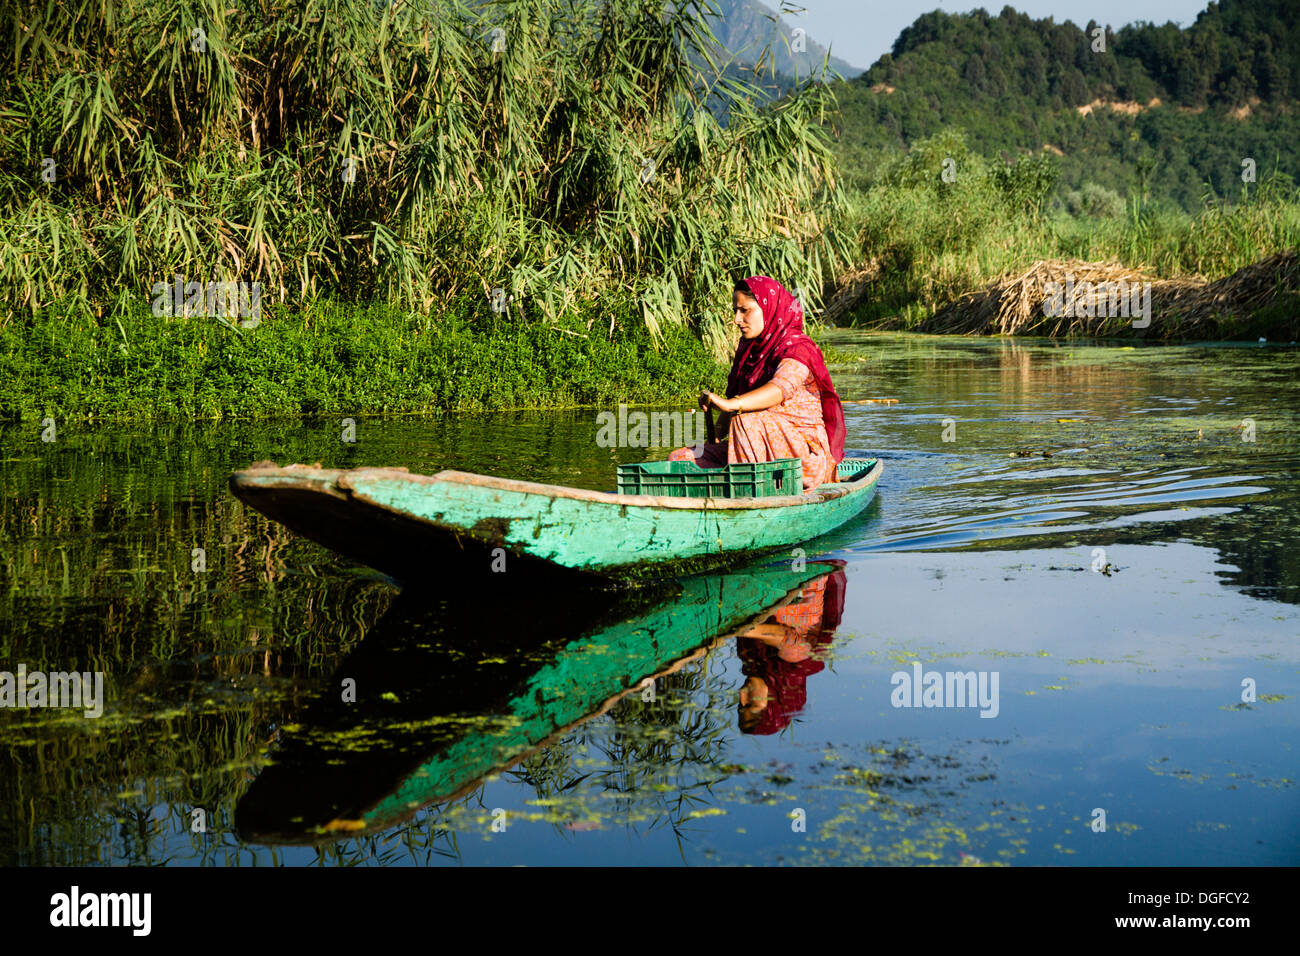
(491, 730)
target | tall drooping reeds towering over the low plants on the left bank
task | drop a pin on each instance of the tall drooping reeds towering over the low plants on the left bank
(558, 150)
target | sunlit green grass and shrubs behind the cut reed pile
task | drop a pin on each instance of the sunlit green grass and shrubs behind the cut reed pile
(928, 241)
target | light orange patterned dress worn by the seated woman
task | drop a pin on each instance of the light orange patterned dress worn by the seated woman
(794, 429)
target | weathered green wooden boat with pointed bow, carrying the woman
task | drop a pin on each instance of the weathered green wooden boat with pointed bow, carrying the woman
(458, 525)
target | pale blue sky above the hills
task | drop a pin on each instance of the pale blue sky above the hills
(861, 31)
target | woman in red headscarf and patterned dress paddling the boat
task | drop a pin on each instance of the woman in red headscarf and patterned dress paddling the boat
(781, 403)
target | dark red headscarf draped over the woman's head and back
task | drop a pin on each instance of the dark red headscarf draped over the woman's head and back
(783, 339)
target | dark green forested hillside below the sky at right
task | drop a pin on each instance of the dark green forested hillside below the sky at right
(1160, 110)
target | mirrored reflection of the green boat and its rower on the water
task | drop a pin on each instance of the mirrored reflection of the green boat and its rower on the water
(440, 698)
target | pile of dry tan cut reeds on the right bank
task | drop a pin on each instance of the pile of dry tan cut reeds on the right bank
(1069, 297)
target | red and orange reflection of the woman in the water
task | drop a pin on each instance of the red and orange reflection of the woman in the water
(779, 655)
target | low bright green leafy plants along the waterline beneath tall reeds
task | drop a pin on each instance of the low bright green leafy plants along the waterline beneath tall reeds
(340, 360)
